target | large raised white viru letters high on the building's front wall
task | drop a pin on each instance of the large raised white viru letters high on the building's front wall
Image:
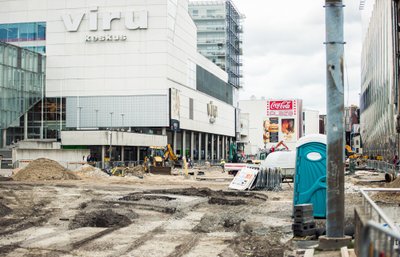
(133, 20)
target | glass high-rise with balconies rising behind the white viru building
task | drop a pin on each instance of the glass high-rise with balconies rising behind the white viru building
(219, 32)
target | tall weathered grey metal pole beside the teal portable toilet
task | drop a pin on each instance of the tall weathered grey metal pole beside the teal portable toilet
(335, 125)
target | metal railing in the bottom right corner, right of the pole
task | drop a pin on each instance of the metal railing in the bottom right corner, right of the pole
(380, 235)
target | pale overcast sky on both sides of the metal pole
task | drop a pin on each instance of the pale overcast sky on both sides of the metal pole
(284, 54)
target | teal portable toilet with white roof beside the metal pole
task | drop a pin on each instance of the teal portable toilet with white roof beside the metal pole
(310, 173)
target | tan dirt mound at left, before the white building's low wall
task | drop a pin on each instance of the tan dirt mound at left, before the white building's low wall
(44, 169)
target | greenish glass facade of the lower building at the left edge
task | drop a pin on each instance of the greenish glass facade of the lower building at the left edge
(22, 78)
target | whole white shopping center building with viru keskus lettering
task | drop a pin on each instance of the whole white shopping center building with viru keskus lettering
(125, 74)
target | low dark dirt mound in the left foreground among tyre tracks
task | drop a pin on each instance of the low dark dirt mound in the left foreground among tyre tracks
(102, 218)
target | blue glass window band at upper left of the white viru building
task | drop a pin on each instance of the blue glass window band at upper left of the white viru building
(23, 33)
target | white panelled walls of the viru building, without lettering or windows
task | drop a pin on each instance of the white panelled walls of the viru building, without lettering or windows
(148, 62)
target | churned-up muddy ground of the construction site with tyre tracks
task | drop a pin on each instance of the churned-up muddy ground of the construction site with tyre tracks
(152, 216)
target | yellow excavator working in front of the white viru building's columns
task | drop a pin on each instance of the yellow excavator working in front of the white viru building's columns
(160, 160)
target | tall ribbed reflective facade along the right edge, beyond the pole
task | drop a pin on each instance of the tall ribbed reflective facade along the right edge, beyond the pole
(378, 100)
